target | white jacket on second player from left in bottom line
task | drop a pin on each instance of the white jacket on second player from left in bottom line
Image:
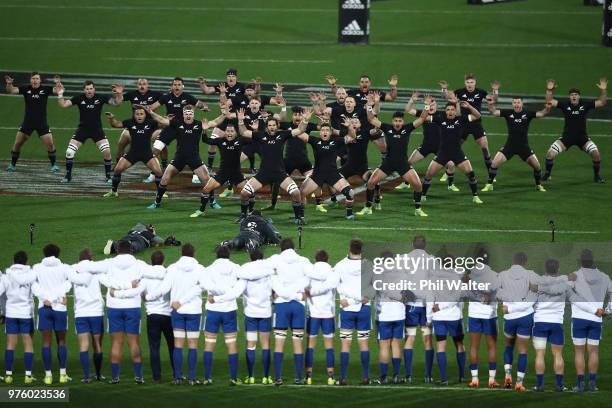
(52, 282)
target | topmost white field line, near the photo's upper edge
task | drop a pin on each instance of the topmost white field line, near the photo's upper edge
(374, 10)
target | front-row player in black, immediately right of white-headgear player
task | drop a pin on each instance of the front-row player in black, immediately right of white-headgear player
(230, 173)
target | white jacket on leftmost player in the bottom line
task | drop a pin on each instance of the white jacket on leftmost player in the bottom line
(19, 296)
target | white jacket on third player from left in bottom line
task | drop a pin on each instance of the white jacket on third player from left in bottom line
(88, 301)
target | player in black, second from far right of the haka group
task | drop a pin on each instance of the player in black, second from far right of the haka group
(517, 121)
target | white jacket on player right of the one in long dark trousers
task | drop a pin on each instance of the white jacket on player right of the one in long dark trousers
(183, 282)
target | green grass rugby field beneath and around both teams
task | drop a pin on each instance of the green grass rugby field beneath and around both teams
(520, 43)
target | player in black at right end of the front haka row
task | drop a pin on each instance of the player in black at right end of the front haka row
(452, 124)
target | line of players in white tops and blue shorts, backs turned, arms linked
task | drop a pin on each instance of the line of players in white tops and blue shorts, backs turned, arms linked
(288, 295)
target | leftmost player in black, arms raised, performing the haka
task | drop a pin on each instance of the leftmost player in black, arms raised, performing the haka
(35, 97)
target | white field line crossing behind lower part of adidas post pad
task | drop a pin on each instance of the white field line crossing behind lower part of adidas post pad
(301, 42)
